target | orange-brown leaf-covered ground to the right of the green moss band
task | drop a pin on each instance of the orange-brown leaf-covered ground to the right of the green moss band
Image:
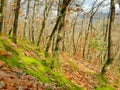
(87, 75)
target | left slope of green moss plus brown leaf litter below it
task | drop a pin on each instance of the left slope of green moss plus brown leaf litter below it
(20, 63)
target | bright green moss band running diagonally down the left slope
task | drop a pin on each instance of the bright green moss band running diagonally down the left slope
(40, 69)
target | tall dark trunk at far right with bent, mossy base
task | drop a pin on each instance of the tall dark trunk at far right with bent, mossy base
(109, 53)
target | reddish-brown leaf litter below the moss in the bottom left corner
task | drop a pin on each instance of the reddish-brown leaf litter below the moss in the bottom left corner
(10, 79)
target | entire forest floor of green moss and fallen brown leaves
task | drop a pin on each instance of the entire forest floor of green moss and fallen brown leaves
(23, 67)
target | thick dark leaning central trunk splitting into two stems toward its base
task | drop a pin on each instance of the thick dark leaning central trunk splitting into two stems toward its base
(62, 6)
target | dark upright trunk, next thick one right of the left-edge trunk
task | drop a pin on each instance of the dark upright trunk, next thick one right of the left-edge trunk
(16, 21)
